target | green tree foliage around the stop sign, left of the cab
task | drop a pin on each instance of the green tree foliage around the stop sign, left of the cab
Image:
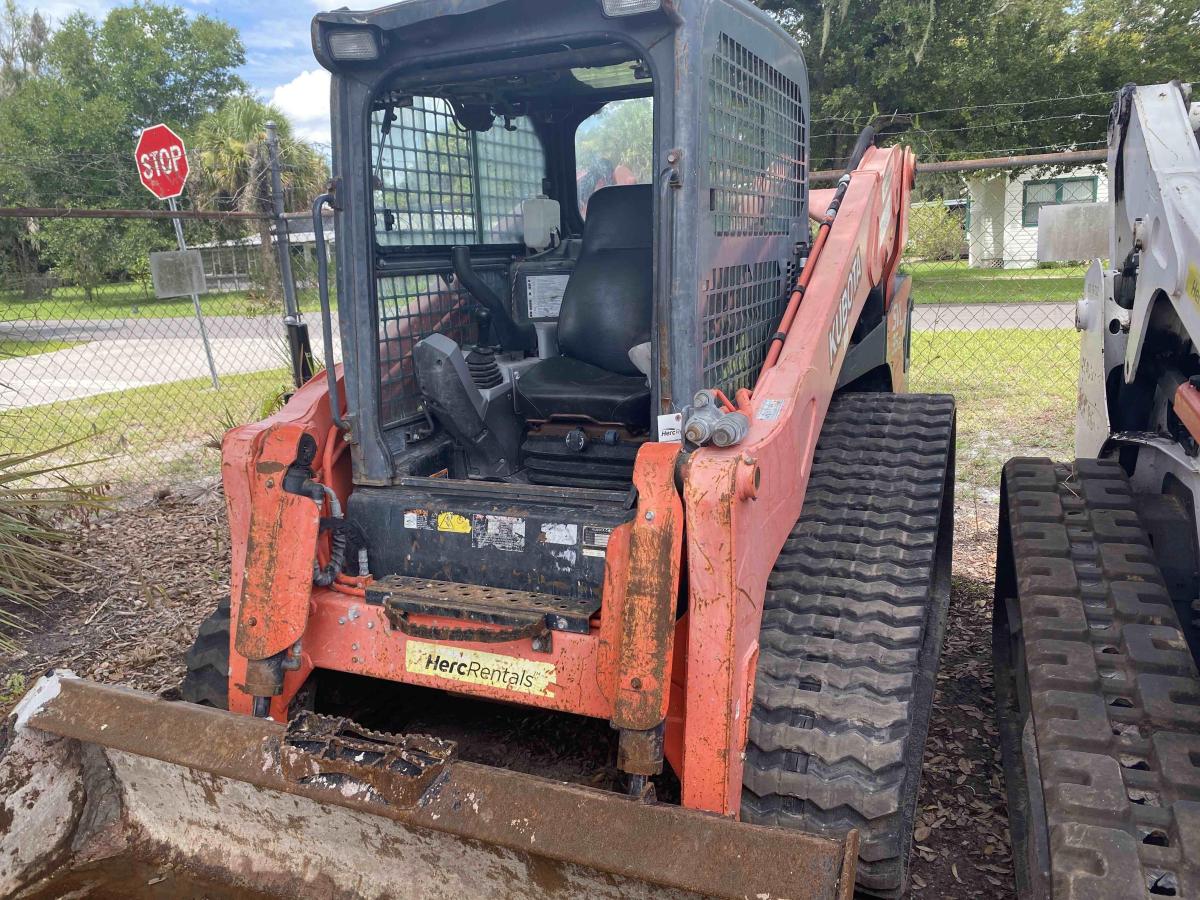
(73, 104)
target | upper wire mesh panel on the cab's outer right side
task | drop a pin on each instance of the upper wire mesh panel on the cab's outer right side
(757, 140)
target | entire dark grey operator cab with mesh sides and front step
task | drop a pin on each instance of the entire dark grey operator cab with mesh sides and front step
(557, 221)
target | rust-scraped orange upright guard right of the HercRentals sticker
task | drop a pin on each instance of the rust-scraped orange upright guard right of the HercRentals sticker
(652, 593)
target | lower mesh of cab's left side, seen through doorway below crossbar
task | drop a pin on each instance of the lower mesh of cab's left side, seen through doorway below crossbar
(411, 309)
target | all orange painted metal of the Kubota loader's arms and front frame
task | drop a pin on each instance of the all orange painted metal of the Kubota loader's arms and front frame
(740, 503)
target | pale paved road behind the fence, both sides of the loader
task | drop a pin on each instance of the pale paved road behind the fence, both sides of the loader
(136, 353)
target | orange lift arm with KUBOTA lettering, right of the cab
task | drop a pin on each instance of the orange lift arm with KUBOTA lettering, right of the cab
(734, 542)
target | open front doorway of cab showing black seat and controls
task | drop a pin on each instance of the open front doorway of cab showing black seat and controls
(513, 214)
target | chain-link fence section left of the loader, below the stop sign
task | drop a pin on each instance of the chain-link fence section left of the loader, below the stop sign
(98, 367)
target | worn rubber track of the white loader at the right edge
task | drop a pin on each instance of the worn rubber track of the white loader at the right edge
(1097, 694)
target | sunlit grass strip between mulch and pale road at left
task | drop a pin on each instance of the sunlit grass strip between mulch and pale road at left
(147, 431)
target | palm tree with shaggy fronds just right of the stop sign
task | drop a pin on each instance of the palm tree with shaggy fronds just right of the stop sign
(235, 167)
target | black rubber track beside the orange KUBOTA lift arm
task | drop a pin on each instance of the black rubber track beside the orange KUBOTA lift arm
(853, 628)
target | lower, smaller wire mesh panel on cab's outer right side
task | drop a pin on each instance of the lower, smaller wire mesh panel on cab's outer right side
(741, 310)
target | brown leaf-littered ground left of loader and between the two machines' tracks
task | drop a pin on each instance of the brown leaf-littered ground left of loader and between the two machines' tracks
(153, 571)
